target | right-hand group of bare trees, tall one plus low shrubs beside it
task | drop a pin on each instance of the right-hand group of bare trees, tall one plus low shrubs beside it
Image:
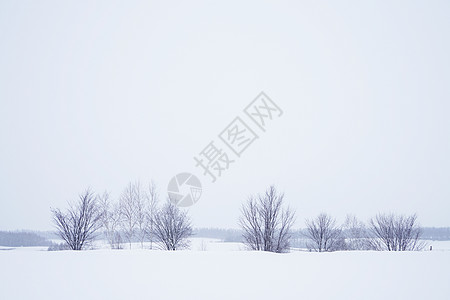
(267, 226)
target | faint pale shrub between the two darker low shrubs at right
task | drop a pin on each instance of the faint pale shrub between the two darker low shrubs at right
(355, 233)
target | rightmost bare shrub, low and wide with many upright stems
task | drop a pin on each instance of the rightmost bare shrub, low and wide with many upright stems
(396, 232)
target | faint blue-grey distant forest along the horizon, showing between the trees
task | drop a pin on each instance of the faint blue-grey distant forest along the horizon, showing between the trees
(43, 238)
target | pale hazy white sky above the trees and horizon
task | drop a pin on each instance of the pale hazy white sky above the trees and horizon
(100, 93)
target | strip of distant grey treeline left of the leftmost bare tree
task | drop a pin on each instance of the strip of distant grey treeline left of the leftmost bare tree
(22, 239)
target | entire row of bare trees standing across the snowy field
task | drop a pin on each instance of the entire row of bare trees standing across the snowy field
(266, 224)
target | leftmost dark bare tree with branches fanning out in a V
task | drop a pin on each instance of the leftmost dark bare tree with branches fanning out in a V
(78, 226)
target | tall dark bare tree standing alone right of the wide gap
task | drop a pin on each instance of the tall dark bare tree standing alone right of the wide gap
(265, 223)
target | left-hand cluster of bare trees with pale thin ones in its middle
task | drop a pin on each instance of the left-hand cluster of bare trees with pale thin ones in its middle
(135, 217)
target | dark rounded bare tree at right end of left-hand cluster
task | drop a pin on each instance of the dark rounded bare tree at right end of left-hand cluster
(172, 227)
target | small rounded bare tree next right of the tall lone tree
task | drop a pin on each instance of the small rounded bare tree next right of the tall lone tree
(324, 234)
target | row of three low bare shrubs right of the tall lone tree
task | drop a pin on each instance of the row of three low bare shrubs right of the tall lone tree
(384, 232)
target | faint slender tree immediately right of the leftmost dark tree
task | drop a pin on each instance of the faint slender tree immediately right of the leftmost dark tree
(111, 221)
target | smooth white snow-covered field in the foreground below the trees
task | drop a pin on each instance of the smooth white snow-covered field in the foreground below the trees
(223, 273)
